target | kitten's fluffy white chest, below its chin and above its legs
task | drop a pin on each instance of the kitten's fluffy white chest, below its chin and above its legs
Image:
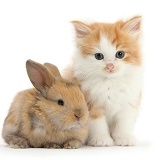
(113, 94)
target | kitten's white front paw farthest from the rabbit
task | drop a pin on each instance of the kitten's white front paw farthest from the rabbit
(124, 140)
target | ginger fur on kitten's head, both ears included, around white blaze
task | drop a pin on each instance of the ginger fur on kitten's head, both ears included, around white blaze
(89, 37)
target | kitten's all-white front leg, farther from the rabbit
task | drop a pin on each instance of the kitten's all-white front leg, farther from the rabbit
(124, 123)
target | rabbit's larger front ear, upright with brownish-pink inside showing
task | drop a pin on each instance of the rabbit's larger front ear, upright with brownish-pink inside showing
(40, 76)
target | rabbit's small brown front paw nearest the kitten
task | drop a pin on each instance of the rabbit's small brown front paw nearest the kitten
(72, 144)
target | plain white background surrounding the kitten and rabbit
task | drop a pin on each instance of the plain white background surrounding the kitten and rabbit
(41, 31)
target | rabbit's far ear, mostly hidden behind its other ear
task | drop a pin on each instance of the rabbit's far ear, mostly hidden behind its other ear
(54, 70)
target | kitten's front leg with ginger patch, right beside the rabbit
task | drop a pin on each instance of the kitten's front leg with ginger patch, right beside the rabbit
(98, 130)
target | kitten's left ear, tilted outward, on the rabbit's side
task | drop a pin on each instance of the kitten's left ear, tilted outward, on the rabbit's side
(81, 29)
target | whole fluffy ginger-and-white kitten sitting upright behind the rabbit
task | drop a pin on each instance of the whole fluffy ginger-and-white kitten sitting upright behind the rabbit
(108, 66)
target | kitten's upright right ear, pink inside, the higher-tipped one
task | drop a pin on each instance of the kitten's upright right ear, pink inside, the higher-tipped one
(133, 25)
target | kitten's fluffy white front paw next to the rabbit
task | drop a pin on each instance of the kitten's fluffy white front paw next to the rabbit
(100, 141)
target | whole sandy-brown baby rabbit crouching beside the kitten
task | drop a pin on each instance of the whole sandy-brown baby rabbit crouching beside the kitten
(54, 114)
